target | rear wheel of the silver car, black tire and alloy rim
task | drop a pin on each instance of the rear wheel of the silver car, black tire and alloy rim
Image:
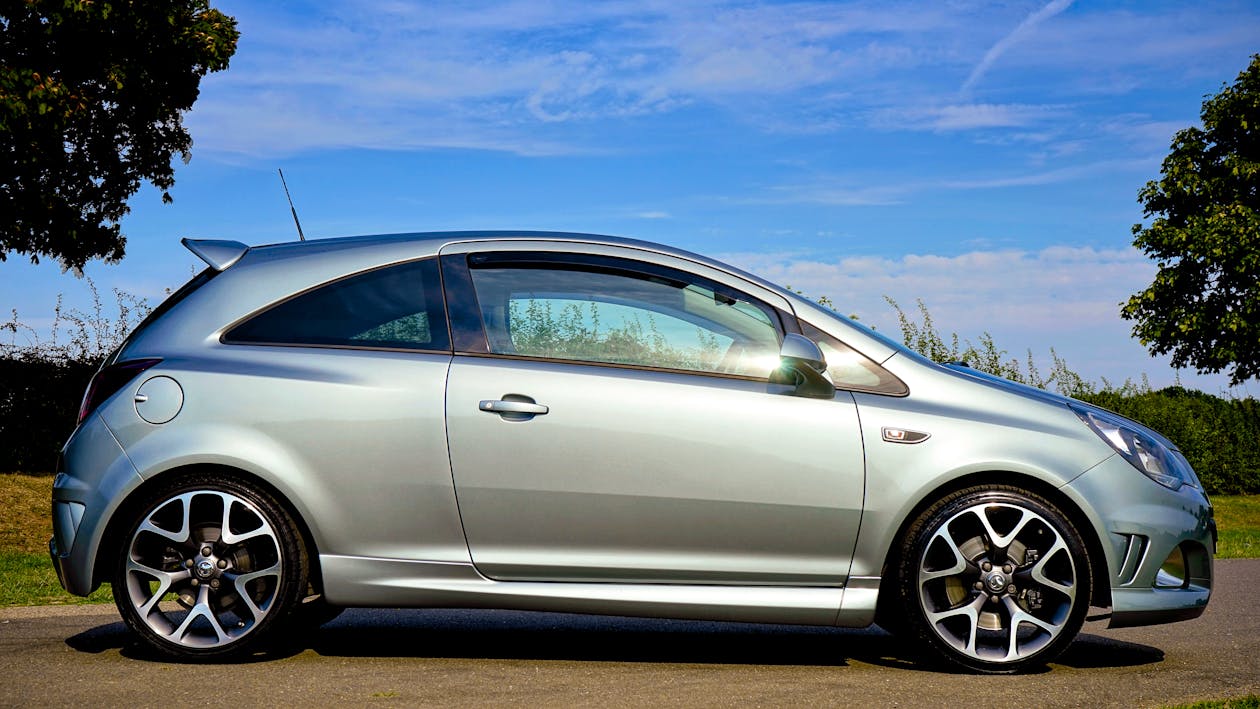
(209, 569)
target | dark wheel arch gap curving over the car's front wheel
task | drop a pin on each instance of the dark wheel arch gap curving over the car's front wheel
(1099, 570)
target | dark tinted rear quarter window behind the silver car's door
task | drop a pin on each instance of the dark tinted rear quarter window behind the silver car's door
(395, 308)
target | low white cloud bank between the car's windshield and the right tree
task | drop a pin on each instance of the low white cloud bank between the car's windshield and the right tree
(1064, 298)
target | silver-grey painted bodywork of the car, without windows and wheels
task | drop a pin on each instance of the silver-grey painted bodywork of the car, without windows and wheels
(356, 441)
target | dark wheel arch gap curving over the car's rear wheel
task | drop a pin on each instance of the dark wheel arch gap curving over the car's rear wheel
(123, 517)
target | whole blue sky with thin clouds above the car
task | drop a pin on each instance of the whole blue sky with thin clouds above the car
(983, 157)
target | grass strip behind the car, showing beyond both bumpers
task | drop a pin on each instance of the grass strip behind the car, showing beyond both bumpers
(27, 576)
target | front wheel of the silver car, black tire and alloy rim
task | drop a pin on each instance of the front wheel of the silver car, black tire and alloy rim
(994, 580)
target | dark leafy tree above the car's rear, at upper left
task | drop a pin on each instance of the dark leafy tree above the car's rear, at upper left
(93, 96)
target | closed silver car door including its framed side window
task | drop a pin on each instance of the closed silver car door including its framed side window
(610, 420)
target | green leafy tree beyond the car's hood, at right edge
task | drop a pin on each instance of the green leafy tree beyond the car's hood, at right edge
(1204, 305)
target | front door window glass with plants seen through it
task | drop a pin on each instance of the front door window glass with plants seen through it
(571, 313)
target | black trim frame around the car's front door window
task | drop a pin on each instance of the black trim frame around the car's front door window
(469, 328)
